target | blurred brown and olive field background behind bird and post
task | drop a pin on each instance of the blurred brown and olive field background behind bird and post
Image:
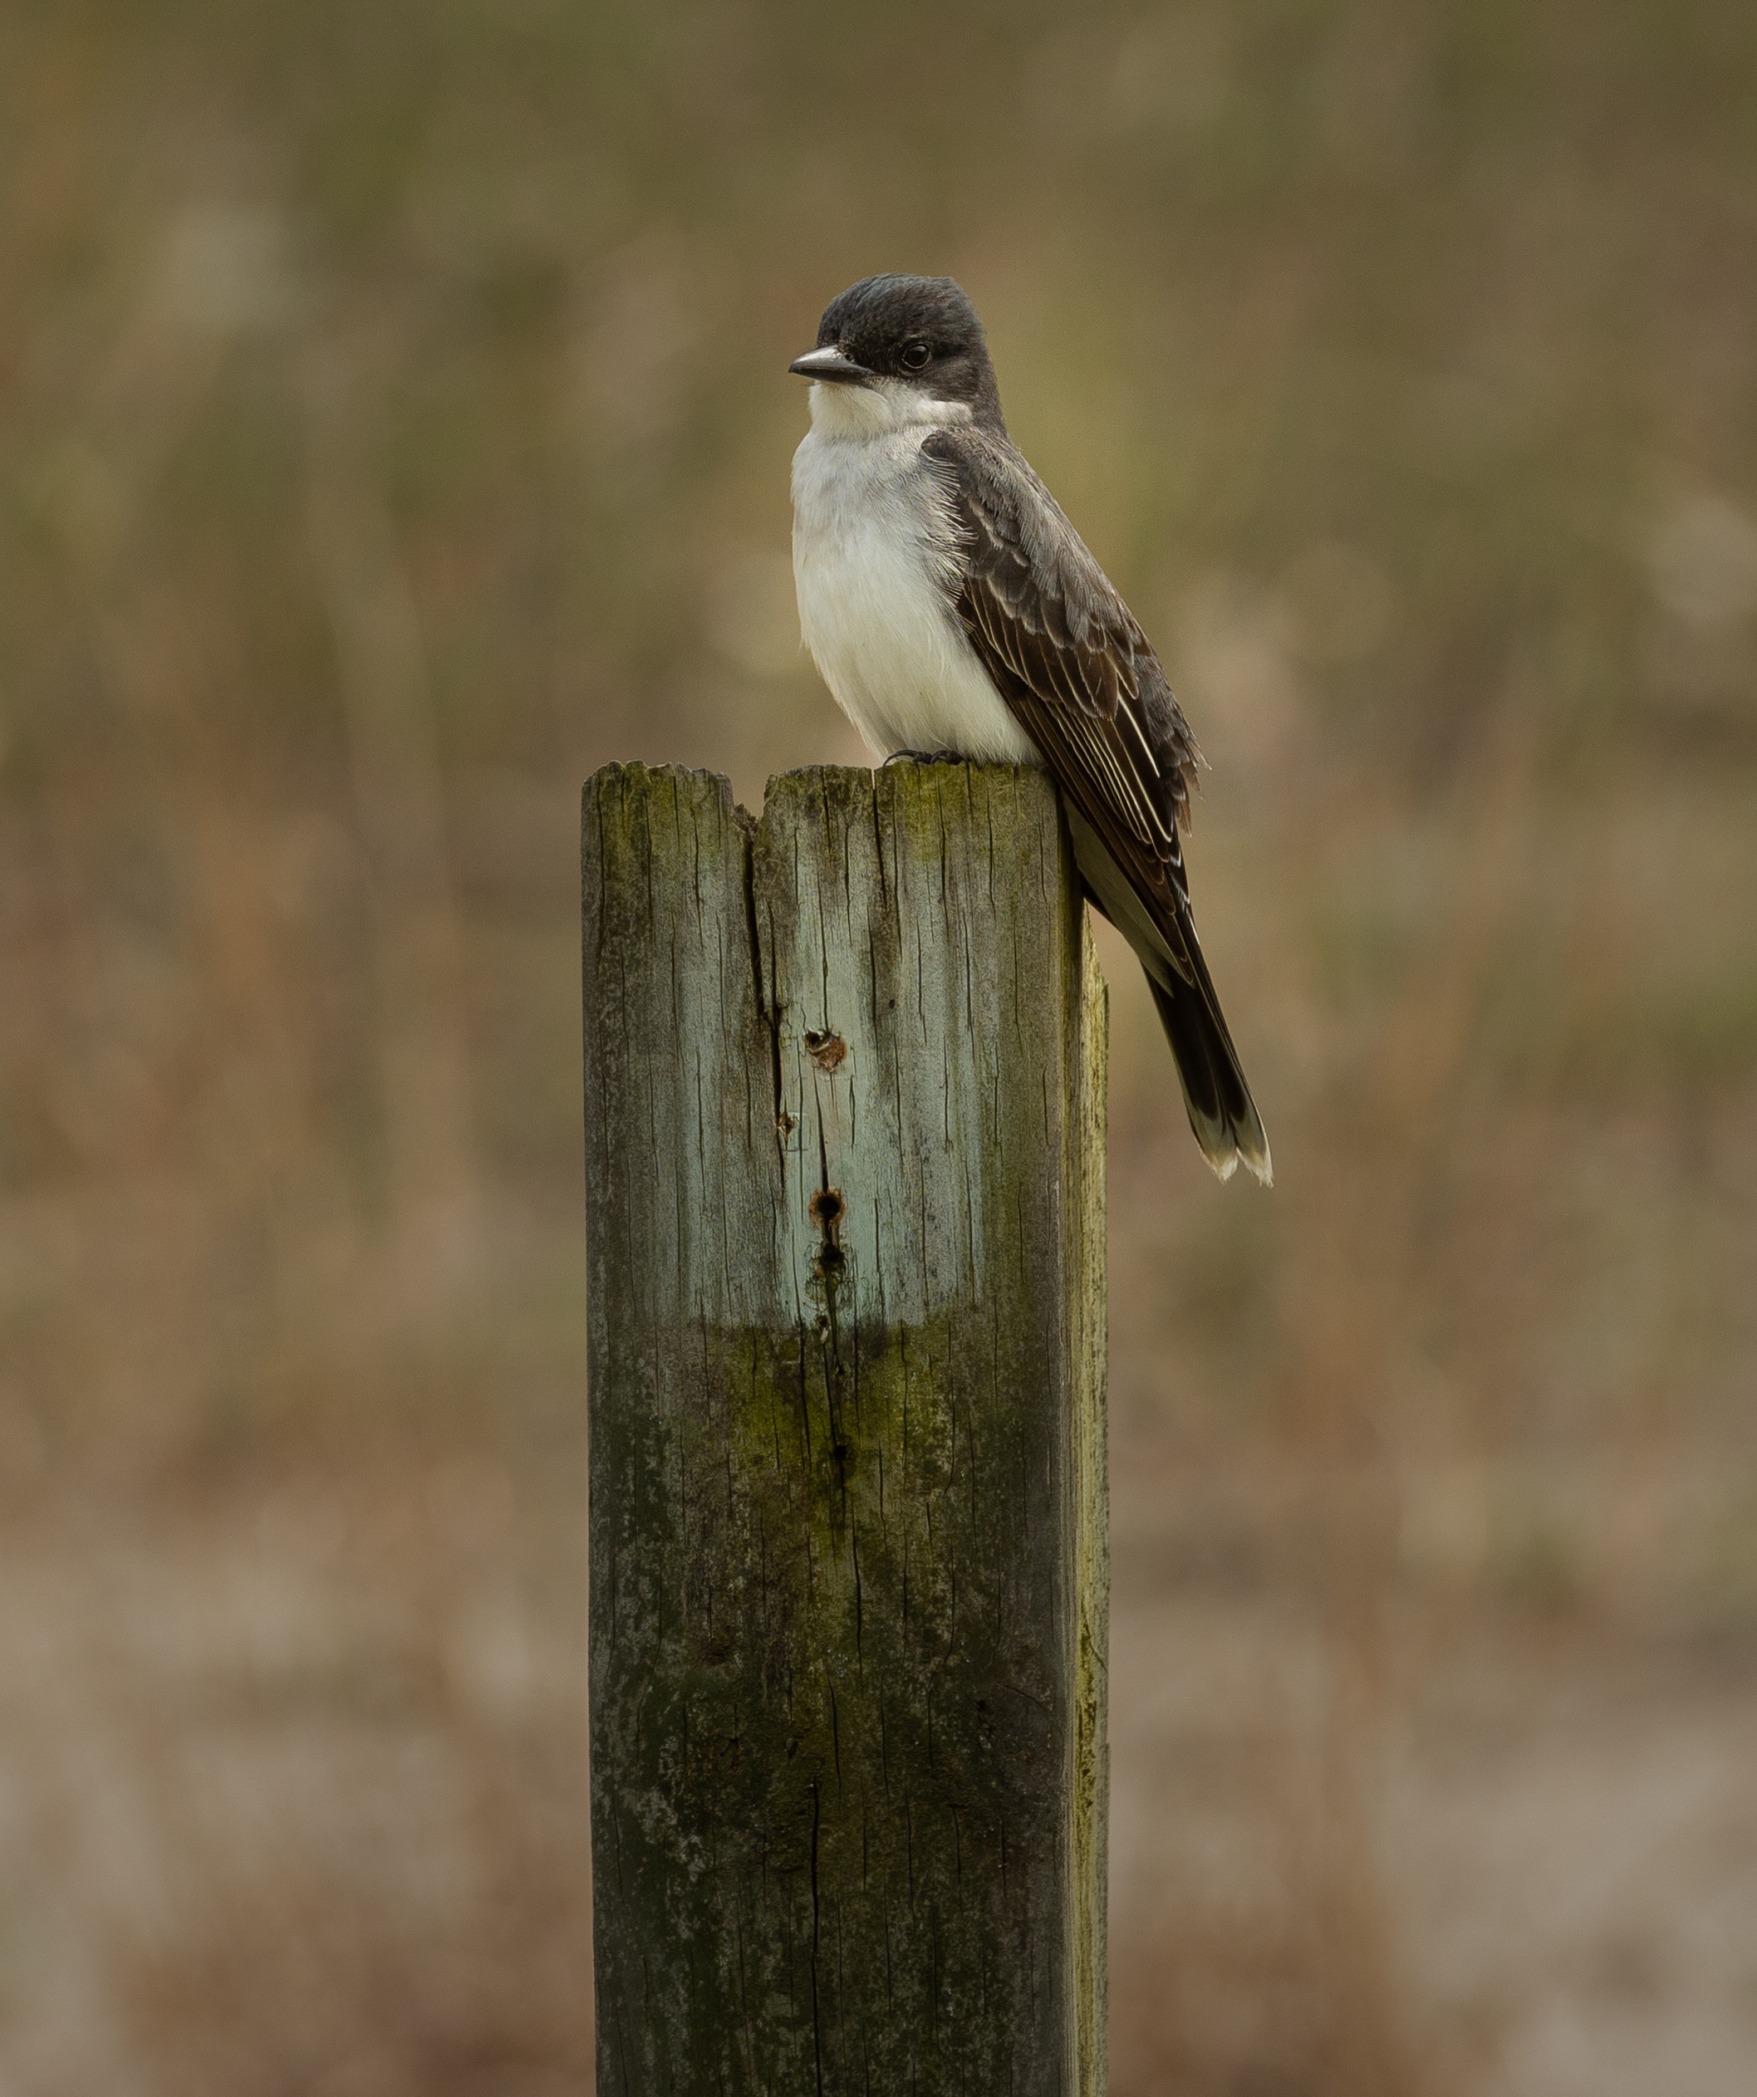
(395, 427)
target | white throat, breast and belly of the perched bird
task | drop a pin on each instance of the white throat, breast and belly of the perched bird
(873, 548)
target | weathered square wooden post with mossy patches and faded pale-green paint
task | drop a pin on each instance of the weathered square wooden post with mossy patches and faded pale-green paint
(844, 1098)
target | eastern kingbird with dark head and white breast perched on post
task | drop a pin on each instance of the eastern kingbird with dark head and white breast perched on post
(957, 613)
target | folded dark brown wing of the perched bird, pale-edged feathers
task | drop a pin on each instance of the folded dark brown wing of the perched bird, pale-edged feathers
(1077, 670)
